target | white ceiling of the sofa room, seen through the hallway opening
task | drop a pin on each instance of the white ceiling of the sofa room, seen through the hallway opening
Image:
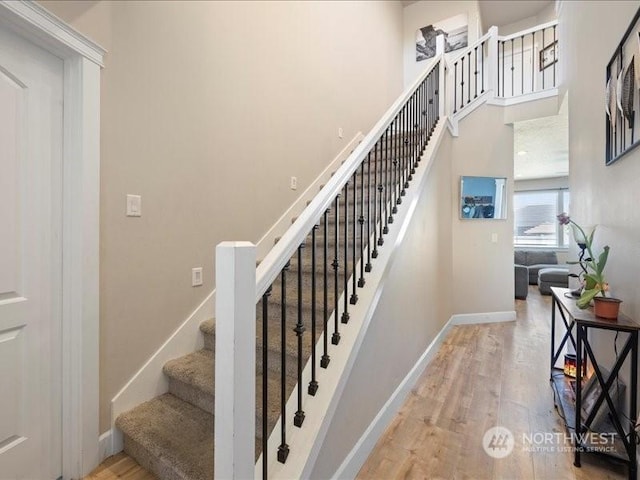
(546, 143)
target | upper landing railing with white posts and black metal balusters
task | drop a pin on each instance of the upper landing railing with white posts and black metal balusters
(512, 67)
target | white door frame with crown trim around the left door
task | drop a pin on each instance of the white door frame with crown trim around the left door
(80, 226)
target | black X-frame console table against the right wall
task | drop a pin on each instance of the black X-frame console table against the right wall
(570, 403)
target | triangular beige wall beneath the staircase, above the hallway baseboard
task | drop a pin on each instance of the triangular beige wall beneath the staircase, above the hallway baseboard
(414, 307)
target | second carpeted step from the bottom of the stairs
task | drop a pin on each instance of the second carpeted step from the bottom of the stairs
(191, 378)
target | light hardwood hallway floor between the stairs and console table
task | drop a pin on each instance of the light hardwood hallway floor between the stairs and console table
(483, 376)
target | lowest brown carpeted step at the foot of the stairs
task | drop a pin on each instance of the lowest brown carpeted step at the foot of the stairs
(171, 438)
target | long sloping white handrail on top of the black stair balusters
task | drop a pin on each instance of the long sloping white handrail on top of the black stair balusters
(282, 251)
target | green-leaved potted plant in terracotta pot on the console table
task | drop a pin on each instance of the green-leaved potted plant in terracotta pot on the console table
(595, 286)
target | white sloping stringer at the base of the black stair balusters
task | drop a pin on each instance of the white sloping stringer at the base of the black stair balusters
(305, 442)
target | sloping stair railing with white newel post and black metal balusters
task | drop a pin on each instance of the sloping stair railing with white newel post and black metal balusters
(378, 170)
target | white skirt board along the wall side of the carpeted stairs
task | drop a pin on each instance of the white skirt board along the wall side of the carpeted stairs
(149, 381)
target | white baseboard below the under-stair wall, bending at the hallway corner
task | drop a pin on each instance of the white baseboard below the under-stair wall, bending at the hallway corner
(364, 446)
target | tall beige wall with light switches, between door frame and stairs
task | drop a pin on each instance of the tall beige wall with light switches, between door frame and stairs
(208, 108)
